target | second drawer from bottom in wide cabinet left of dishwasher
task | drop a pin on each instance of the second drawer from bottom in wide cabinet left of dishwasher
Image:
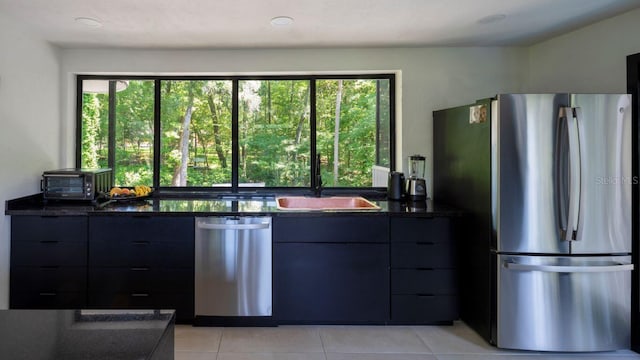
(141, 280)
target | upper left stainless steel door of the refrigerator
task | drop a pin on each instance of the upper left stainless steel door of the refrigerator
(525, 162)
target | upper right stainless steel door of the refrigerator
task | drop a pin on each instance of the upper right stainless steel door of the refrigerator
(604, 130)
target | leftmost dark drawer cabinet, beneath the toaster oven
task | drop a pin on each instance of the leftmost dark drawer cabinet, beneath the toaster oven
(48, 262)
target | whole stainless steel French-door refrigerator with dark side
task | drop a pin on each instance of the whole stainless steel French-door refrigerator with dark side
(545, 182)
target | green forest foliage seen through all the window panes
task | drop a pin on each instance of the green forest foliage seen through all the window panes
(273, 131)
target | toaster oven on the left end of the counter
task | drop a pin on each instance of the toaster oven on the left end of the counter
(75, 184)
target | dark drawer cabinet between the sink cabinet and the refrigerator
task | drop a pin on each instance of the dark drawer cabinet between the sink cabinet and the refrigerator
(424, 282)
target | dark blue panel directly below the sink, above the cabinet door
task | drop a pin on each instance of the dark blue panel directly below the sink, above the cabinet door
(330, 229)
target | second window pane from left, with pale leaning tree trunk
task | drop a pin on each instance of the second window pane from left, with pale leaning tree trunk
(195, 127)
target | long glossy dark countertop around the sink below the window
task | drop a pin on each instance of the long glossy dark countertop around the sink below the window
(33, 205)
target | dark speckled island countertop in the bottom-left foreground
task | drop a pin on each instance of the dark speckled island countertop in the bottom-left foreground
(86, 334)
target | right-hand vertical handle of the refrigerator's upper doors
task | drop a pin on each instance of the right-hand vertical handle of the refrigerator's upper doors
(574, 173)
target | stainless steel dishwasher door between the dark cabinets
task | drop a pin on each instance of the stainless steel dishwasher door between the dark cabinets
(233, 272)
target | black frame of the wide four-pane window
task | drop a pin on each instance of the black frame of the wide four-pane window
(235, 79)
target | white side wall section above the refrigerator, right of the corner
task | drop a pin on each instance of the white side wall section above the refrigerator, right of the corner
(591, 59)
